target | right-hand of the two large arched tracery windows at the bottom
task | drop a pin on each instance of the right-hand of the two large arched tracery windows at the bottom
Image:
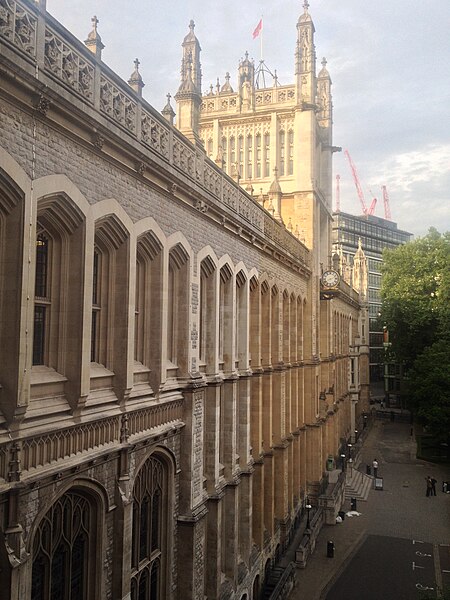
(149, 516)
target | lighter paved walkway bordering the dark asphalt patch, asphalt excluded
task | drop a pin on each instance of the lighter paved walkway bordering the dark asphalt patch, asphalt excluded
(400, 510)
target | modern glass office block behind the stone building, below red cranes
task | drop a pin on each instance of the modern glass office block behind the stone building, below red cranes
(376, 234)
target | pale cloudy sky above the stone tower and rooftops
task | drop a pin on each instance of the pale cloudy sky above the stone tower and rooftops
(388, 61)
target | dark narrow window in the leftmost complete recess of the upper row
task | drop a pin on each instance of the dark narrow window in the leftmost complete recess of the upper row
(42, 299)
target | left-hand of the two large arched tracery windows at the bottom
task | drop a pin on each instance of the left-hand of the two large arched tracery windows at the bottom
(65, 551)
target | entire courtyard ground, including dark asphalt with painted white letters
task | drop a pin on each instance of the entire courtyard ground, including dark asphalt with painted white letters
(400, 544)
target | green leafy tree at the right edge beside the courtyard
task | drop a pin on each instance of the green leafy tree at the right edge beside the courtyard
(416, 311)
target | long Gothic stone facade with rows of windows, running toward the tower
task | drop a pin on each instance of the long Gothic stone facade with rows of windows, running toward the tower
(172, 378)
